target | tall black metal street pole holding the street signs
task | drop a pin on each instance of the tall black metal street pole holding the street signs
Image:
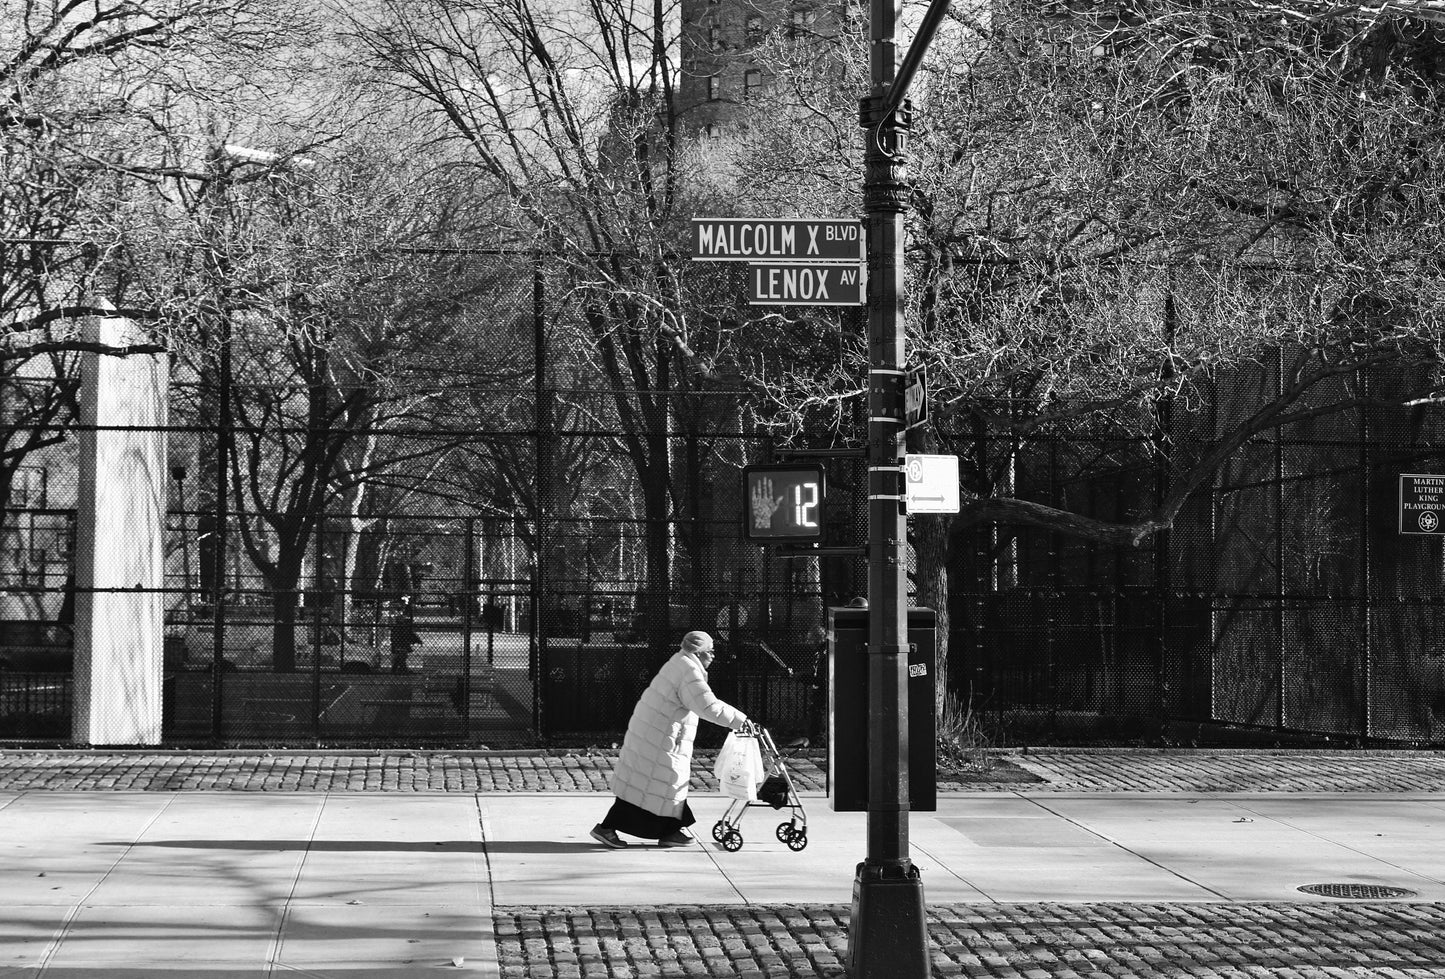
(888, 934)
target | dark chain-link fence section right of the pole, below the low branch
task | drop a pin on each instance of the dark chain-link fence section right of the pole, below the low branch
(1281, 603)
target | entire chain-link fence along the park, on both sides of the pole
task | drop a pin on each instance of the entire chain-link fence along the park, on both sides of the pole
(476, 547)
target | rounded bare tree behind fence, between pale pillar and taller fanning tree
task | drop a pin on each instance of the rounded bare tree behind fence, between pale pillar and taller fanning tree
(348, 324)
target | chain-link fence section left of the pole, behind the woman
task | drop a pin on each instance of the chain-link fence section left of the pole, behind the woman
(476, 548)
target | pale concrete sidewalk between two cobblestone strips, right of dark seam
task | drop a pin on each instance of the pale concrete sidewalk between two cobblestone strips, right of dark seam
(988, 848)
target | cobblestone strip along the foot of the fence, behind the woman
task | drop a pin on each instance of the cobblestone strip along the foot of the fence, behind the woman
(589, 770)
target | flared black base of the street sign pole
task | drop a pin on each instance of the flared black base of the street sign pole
(888, 932)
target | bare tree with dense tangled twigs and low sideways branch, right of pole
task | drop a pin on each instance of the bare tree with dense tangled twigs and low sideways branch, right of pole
(1109, 213)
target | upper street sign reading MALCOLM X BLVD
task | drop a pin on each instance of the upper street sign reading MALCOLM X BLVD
(777, 240)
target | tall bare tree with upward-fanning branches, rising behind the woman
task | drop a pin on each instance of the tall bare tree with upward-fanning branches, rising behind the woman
(570, 109)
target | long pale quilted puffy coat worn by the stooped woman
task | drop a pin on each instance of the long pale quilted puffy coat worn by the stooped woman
(657, 759)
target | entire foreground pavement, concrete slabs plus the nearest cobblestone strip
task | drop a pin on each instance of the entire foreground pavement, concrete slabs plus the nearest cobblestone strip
(1040, 883)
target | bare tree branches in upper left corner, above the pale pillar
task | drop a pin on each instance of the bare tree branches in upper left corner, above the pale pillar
(83, 89)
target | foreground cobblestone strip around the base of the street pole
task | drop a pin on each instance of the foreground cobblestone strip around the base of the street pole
(998, 941)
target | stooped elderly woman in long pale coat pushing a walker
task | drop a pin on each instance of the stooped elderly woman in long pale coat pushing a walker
(651, 779)
